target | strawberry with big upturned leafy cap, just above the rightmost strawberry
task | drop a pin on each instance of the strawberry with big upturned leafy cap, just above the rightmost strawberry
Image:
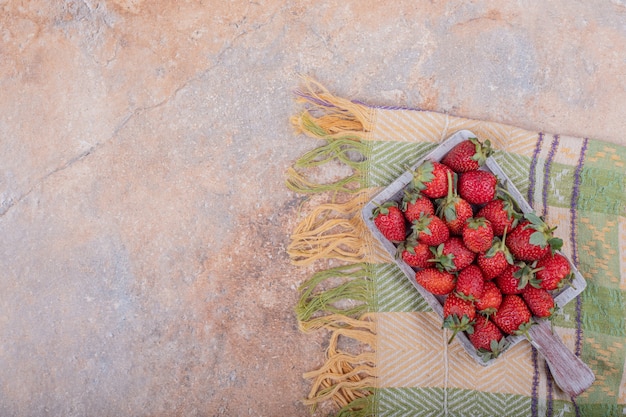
(532, 239)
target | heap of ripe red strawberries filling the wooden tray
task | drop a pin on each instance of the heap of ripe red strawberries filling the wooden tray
(495, 269)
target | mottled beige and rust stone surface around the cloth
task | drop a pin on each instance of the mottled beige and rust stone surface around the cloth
(143, 144)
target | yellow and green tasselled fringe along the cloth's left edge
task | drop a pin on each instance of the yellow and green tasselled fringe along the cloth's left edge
(337, 231)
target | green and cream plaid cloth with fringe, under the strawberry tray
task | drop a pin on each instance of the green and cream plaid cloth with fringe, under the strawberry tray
(387, 353)
